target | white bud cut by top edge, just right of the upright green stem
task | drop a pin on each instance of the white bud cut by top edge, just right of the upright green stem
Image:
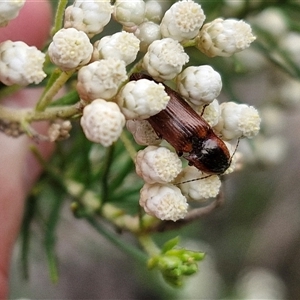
(88, 16)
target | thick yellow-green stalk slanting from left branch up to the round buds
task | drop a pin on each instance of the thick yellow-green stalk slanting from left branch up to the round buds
(47, 98)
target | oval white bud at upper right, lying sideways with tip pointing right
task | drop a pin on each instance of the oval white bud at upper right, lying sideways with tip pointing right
(224, 37)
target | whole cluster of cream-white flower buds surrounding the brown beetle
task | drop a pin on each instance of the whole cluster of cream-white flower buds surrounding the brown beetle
(109, 99)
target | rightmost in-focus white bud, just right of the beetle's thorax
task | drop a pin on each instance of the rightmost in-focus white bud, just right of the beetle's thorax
(238, 120)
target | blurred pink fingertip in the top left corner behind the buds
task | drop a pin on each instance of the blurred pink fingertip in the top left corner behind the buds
(32, 26)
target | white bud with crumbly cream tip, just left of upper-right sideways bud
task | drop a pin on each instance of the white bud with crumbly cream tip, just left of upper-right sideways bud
(182, 21)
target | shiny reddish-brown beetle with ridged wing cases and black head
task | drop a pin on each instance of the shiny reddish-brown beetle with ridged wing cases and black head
(190, 135)
